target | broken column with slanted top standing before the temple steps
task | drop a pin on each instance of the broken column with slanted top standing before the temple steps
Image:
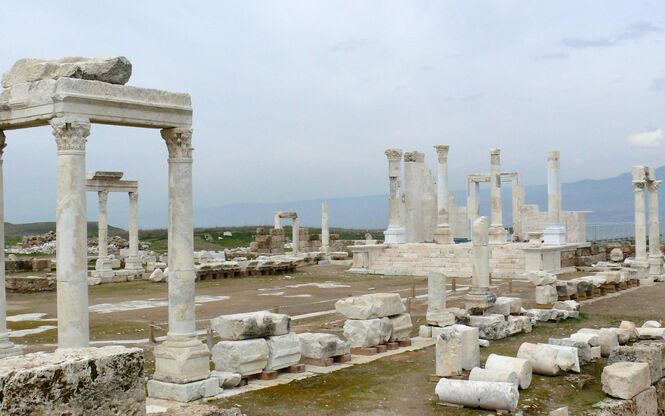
(480, 297)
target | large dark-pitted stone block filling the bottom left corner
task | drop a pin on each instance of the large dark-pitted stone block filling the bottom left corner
(82, 381)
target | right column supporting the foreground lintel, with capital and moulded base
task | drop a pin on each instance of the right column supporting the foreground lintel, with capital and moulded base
(182, 358)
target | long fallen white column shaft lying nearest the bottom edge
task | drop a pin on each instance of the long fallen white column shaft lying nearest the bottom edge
(478, 394)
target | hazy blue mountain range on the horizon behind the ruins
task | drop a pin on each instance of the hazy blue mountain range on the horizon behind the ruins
(609, 200)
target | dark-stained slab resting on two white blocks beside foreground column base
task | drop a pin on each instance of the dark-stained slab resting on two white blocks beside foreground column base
(251, 325)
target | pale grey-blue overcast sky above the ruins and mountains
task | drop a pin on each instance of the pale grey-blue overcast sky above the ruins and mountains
(298, 99)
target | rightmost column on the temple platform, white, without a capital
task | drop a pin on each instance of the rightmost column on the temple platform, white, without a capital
(555, 233)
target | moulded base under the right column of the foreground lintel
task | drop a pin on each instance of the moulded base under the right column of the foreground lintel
(181, 360)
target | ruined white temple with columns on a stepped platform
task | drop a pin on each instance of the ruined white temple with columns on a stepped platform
(429, 232)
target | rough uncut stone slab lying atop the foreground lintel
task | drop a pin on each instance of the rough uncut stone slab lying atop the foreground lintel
(113, 70)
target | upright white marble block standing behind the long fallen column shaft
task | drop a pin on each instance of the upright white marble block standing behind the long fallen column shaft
(457, 349)
